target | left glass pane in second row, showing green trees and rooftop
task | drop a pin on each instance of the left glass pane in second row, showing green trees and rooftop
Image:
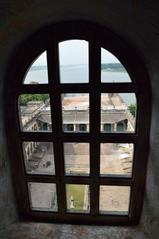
(34, 112)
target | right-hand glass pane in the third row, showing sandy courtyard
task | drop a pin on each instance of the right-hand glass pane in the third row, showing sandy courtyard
(116, 159)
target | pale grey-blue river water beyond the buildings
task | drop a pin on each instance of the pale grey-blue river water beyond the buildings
(79, 74)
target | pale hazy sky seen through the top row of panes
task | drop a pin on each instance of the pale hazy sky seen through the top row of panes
(75, 52)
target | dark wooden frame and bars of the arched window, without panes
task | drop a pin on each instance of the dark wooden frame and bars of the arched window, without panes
(98, 36)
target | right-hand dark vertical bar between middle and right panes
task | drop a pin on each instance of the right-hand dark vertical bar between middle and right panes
(94, 69)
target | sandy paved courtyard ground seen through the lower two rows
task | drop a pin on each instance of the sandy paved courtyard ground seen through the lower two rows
(115, 159)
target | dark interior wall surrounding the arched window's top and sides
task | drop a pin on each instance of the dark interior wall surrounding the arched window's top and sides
(135, 21)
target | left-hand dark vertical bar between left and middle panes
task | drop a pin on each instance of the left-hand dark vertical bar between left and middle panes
(55, 98)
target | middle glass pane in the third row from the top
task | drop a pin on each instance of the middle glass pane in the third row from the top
(76, 157)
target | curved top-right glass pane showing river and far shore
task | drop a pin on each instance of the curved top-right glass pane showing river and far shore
(112, 71)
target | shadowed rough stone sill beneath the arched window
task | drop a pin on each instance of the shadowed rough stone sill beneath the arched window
(56, 231)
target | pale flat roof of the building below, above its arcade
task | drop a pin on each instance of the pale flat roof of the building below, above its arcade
(76, 109)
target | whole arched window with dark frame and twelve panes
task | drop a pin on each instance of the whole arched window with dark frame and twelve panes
(77, 112)
